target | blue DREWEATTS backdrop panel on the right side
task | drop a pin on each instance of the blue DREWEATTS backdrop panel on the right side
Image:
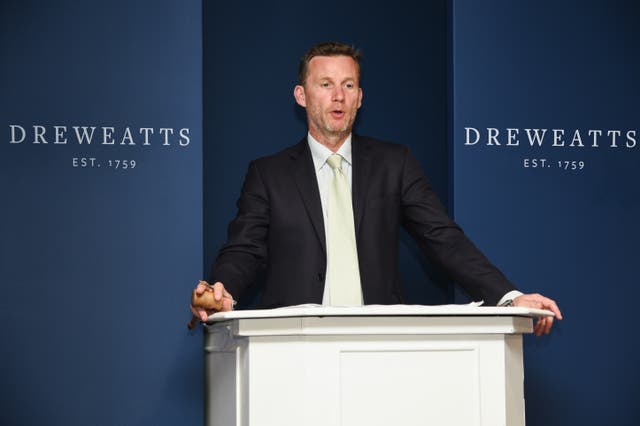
(568, 233)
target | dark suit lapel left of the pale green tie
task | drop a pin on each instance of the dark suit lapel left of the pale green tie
(304, 175)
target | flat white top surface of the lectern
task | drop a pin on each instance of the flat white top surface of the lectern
(311, 310)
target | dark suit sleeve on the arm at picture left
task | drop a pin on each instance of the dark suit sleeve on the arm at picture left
(243, 258)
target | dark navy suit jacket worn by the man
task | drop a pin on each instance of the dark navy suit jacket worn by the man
(278, 233)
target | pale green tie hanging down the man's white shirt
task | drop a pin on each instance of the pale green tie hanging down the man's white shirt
(342, 253)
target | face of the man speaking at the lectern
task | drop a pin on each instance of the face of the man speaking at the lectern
(331, 95)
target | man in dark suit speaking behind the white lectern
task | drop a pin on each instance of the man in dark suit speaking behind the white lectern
(291, 223)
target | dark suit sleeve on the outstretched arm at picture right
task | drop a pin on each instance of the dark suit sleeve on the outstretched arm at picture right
(443, 241)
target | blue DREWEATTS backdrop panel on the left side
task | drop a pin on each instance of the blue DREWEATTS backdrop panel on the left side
(96, 262)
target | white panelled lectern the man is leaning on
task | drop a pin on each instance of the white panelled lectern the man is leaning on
(367, 366)
